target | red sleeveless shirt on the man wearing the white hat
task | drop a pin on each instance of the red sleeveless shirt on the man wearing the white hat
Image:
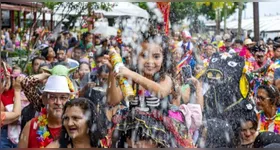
(32, 141)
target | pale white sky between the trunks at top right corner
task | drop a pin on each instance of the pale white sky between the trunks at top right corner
(265, 8)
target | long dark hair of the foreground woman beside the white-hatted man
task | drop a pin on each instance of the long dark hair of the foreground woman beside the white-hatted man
(96, 122)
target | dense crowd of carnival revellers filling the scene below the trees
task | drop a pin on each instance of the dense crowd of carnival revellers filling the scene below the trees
(70, 95)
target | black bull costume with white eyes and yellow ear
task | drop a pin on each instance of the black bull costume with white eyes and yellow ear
(228, 84)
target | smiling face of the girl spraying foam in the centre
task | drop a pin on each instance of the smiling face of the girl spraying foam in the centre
(150, 59)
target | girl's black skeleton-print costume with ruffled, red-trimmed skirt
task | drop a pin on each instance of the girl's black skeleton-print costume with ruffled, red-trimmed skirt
(151, 116)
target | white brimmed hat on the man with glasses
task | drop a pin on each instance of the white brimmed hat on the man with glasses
(57, 84)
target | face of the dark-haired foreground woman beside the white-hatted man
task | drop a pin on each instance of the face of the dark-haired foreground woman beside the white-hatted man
(75, 122)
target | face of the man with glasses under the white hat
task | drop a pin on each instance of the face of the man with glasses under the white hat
(55, 103)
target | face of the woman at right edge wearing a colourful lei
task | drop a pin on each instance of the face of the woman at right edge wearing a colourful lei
(263, 100)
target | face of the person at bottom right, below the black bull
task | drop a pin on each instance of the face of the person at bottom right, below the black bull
(247, 132)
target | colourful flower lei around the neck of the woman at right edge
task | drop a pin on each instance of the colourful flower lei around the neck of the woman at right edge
(265, 122)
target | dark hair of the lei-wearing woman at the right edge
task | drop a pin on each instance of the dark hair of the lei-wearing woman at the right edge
(272, 93)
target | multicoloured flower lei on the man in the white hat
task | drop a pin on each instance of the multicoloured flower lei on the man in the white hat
(44, 136)
